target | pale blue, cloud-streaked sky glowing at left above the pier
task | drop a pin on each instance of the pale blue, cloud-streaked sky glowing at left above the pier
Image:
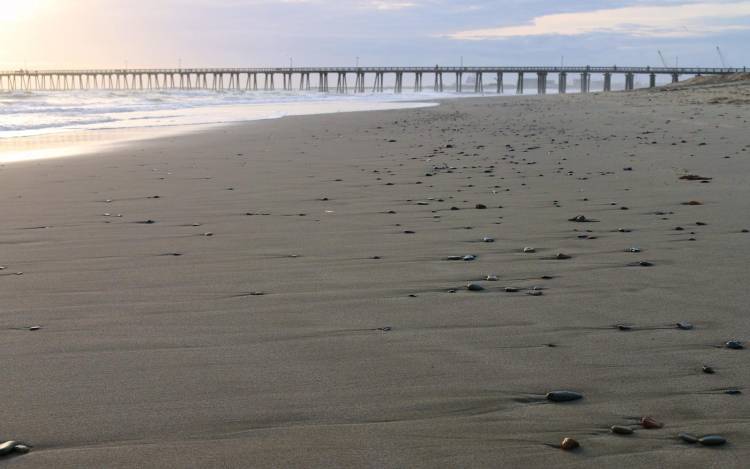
(43, 34)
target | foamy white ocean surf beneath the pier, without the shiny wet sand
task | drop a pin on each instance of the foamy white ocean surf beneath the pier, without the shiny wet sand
(24, 114)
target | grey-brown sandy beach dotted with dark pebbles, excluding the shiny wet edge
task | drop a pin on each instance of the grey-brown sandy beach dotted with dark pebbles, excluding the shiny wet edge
(148, 359)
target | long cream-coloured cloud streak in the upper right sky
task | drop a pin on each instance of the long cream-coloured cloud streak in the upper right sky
(680, 20)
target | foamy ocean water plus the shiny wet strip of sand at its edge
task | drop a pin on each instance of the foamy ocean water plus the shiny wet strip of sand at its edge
(39, 125)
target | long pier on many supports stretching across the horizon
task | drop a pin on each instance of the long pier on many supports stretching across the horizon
(256, 79)
